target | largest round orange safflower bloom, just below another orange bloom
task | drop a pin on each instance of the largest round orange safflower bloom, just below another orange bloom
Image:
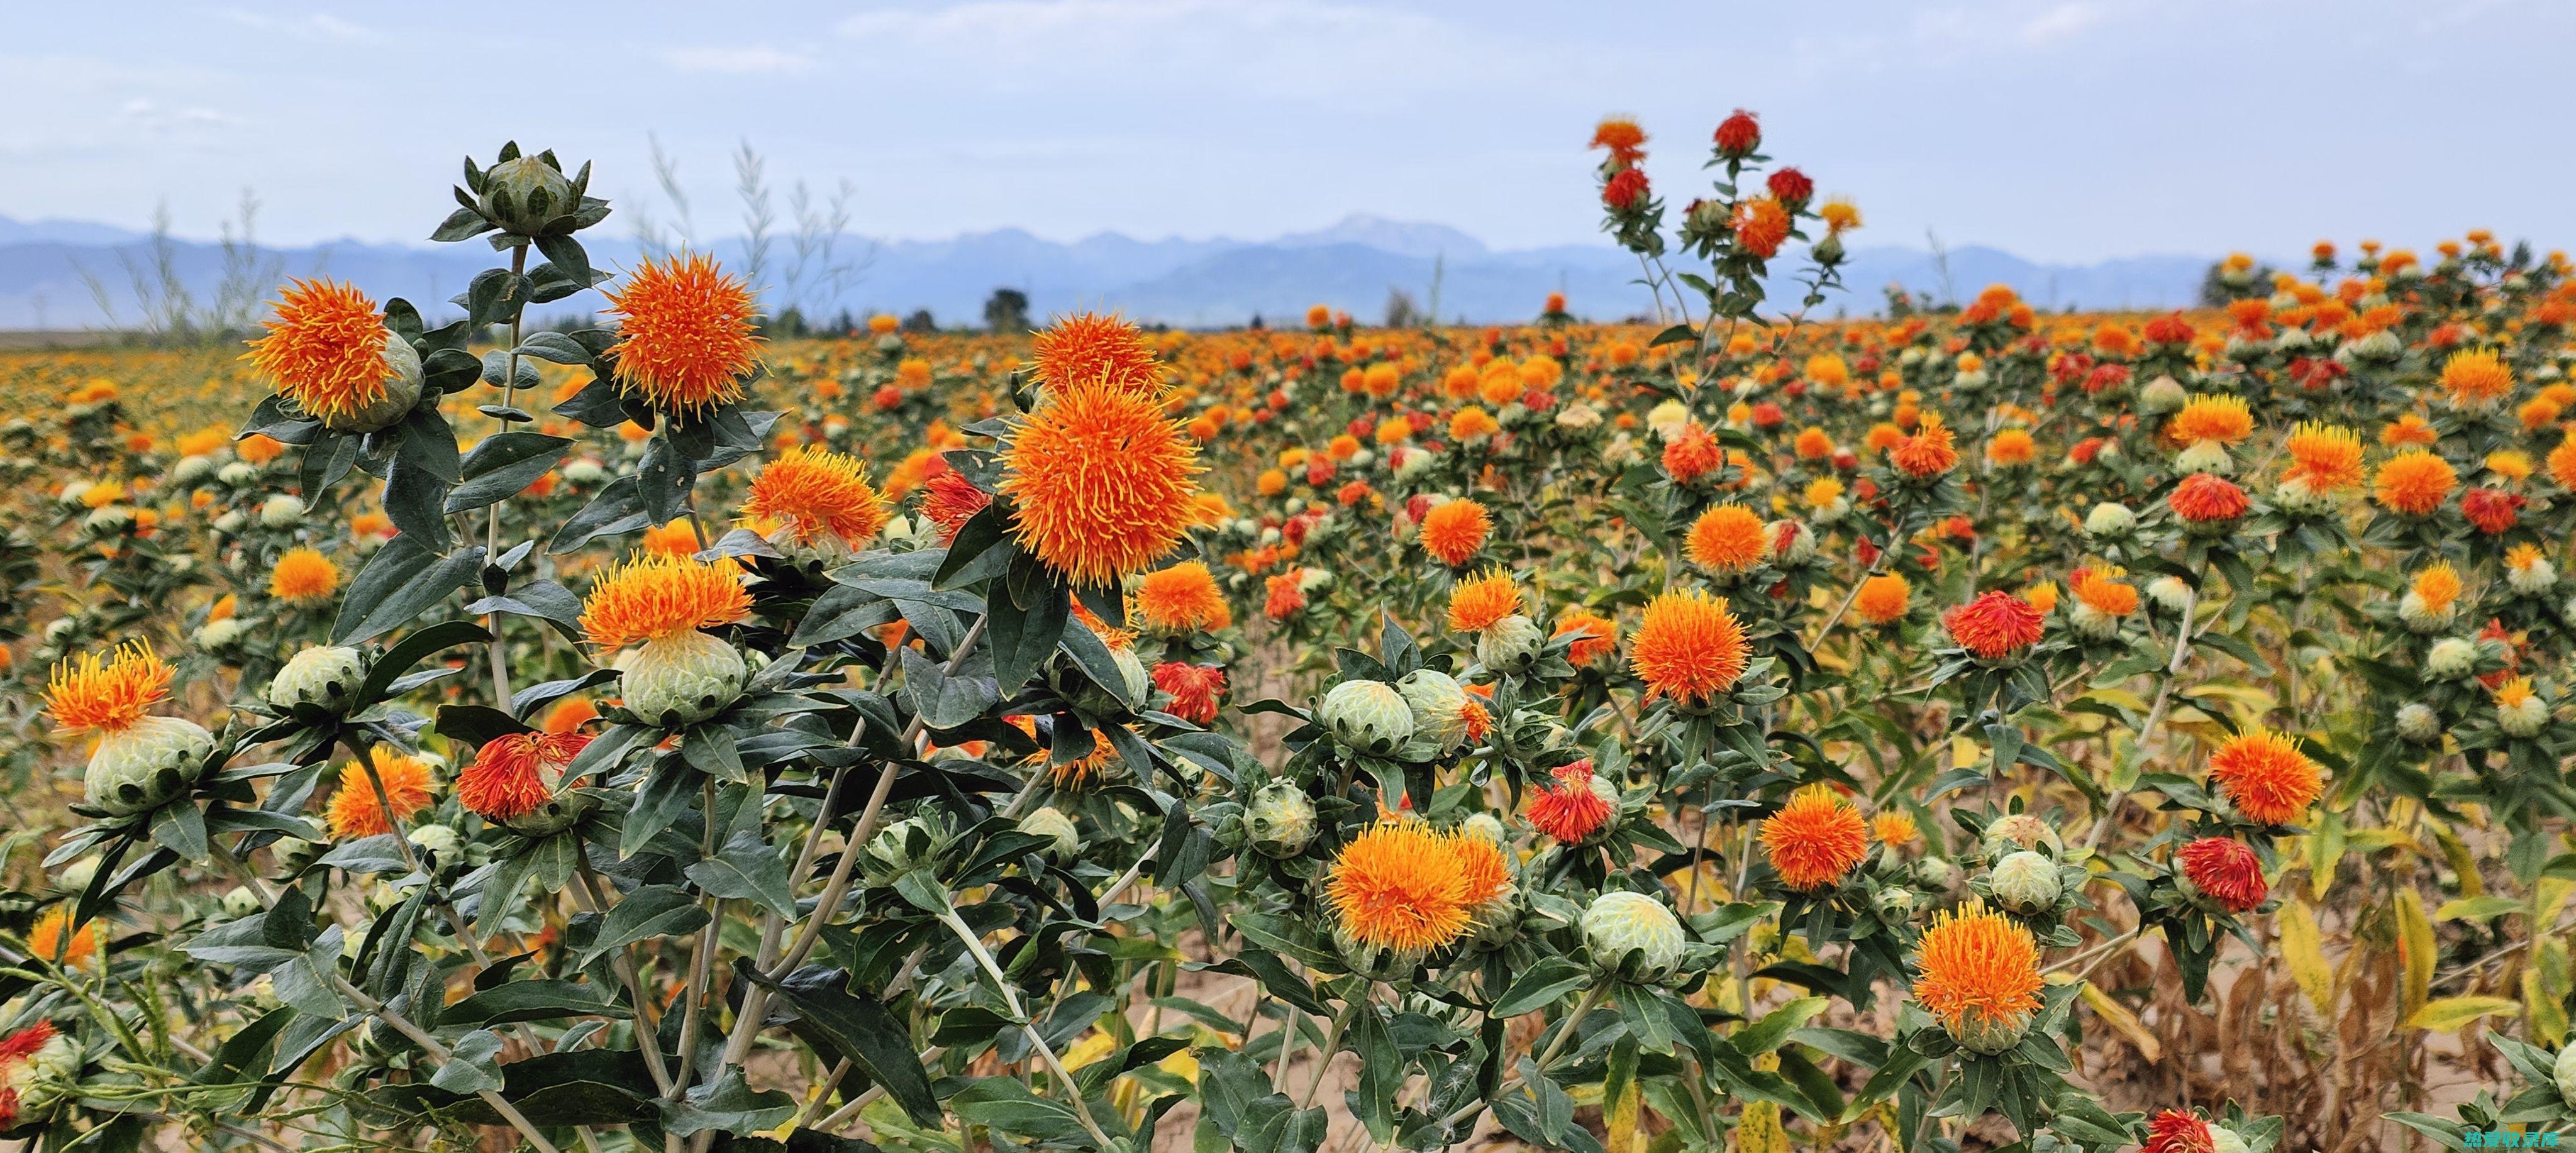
(1104, 483)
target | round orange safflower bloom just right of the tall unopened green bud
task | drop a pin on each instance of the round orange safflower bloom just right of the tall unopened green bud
(687, 333)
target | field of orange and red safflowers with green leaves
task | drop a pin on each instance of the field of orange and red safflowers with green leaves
(1944, 732)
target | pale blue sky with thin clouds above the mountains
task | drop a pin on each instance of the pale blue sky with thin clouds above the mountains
(2060, 130)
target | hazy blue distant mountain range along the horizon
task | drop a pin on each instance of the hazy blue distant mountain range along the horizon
(55, 274)
